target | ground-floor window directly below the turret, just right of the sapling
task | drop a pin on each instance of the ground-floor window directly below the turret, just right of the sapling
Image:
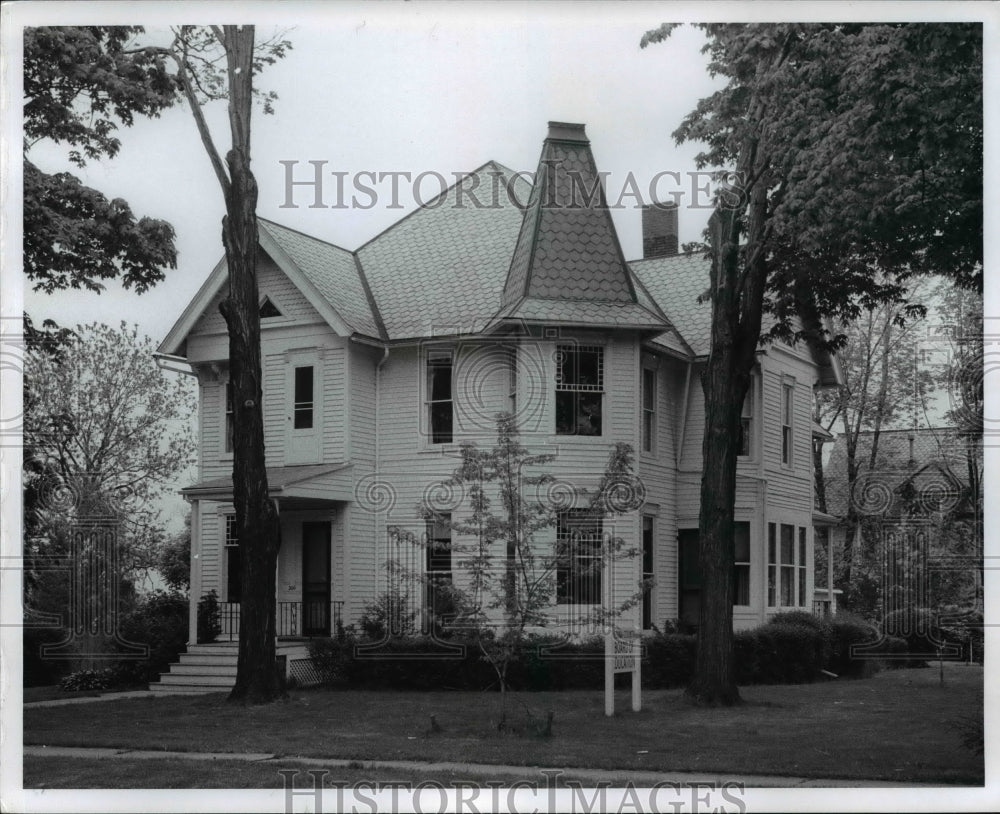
(578, 549)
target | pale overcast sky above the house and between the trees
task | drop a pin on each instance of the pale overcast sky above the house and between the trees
(415, 88)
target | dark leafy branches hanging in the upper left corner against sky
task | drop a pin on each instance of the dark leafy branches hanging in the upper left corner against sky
(80, 84)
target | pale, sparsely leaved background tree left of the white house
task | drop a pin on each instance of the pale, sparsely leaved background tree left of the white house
(106, 430)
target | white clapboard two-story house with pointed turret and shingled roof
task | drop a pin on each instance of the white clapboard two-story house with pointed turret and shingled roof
(378, 362)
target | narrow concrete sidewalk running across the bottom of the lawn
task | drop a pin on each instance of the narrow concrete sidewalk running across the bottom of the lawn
(537, 774)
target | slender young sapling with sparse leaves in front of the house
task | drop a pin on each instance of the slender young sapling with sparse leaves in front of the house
(511, 574)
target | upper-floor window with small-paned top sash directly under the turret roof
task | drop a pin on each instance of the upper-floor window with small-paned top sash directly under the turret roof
(579, 389)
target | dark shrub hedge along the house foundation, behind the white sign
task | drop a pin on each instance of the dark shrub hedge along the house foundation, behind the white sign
(792, 648)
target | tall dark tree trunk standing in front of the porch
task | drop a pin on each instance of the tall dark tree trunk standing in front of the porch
(257, 679)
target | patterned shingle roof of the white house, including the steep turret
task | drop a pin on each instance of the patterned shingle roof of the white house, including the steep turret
(546, 253)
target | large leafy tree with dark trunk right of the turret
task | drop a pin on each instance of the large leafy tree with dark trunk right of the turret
(849, 150)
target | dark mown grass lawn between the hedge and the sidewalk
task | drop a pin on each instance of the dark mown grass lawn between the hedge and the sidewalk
(899, 726)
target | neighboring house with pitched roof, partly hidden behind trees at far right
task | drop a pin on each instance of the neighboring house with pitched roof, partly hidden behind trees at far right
(916, 525)
